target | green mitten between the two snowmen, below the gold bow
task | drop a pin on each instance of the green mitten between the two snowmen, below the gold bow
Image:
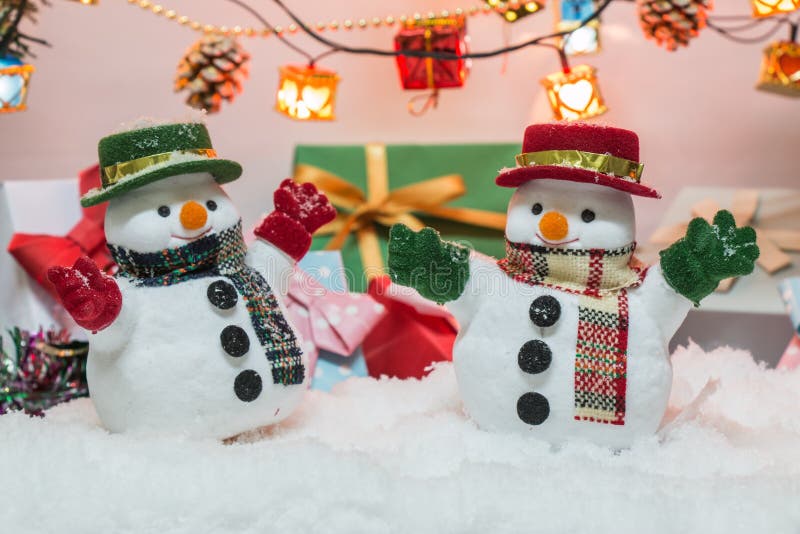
(437, 269)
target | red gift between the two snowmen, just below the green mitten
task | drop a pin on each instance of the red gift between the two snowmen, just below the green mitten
(412, 335)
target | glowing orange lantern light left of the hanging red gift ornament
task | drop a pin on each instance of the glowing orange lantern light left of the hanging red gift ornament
(307, 93)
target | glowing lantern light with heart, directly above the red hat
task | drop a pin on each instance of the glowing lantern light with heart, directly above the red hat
(574, 93)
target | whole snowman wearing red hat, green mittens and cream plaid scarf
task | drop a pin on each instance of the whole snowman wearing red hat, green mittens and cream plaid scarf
(566, 338)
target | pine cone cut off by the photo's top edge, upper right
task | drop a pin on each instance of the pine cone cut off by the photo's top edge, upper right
(672, 23)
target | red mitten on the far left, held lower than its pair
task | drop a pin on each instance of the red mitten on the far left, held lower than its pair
(91, 298)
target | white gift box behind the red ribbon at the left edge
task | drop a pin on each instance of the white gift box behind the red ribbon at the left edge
(33, 207)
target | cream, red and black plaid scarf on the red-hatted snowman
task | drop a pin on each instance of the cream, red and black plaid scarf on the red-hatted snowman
(601, 278)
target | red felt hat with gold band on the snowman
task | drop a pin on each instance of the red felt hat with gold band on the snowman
(579, 152)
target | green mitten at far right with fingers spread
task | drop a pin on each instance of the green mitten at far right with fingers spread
(695, 264)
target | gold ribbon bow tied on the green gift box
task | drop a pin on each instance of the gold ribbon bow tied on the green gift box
(360, 211)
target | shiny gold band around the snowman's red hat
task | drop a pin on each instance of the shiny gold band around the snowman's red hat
(602, 163)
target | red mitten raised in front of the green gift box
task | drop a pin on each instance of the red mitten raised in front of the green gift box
(299, 210)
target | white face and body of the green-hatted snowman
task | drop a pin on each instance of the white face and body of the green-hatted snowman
(161, 366)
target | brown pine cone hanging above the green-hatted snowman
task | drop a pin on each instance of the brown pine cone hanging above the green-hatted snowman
(212, 70)
